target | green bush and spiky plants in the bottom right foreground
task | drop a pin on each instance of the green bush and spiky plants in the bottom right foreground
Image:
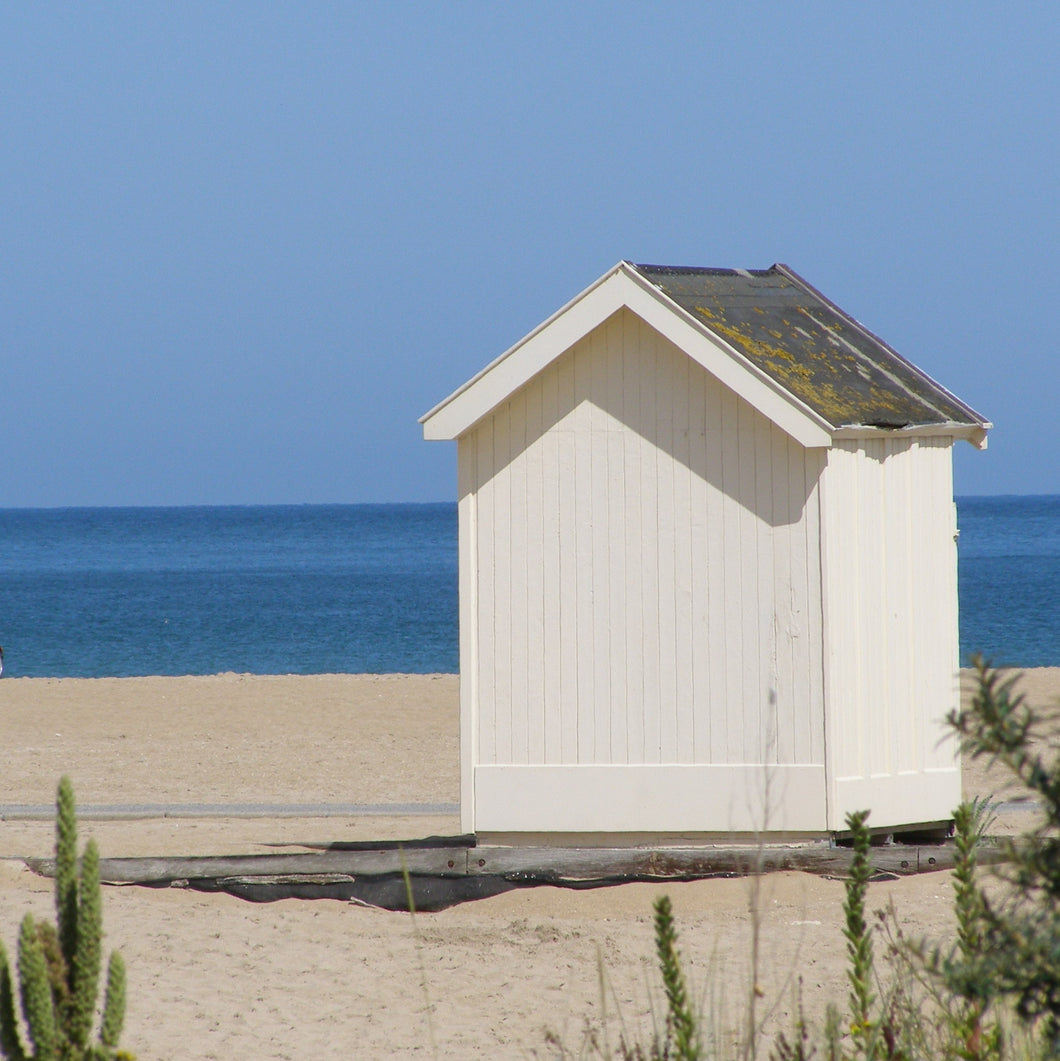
(991, 995)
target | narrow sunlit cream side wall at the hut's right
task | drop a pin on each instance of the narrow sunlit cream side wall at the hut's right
(891, 628)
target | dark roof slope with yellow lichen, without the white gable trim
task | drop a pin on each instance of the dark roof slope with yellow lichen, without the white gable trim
(808, 345)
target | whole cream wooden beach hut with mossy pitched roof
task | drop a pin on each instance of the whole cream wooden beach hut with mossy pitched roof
(707, 568)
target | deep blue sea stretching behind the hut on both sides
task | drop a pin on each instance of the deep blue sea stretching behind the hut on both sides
(352, 589)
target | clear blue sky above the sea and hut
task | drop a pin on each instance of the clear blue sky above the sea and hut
(245, 247)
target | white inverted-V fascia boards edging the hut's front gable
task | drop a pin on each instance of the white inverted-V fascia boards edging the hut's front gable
(620, 288)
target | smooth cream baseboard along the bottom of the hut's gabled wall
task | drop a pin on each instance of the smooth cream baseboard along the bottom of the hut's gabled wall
(650, 798)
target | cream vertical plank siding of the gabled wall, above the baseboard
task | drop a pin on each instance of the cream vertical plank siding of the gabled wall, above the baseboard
(648, 568)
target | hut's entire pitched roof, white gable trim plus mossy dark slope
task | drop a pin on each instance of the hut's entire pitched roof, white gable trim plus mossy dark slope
(766, 334)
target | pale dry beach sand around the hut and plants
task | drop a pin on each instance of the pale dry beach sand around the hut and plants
(213, 977)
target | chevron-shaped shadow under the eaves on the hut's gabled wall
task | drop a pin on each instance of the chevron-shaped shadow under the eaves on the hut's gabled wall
(624, 377)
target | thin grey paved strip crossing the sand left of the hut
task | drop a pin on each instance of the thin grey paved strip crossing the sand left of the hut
(107, 812)
